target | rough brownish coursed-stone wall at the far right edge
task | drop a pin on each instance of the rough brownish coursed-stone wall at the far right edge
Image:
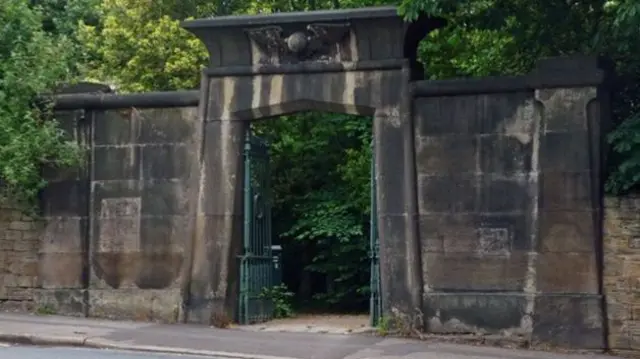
(622, 272)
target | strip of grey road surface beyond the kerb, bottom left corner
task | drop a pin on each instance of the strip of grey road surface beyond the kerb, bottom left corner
(31, 352)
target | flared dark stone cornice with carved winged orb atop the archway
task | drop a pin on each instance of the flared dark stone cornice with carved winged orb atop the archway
(327, 36)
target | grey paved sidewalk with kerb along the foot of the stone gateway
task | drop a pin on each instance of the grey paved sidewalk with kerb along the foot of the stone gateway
(234, 343)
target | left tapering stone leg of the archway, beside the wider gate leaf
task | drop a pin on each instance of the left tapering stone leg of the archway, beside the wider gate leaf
(218, 235)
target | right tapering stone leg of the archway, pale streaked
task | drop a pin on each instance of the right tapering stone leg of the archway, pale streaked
(397, 210)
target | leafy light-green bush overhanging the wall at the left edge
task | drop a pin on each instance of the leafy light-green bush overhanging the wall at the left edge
(32, 61)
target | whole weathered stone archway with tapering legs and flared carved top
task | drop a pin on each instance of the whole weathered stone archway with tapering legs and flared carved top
(350, 61)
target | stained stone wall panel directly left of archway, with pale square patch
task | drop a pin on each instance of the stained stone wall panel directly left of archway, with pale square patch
(144, 183)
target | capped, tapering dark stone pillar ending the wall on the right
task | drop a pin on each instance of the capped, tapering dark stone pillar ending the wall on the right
(569, 306)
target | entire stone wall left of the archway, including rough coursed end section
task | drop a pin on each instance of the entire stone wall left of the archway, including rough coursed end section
(114, 240)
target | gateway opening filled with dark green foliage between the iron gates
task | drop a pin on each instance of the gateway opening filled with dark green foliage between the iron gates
(320, 197)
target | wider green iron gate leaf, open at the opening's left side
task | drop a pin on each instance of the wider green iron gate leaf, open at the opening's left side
(256, 261)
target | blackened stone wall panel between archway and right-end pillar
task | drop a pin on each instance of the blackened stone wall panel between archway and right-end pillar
(477, 185)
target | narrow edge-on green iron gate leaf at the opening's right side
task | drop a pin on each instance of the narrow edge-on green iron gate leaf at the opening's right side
(375, 303)
